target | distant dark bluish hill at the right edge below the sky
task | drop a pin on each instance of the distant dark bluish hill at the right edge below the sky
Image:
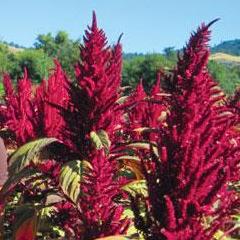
(230, 47)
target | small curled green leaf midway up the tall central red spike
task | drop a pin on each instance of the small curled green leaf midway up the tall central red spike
(100, 140)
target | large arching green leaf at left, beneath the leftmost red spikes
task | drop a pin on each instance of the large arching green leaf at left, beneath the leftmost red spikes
(27, 153)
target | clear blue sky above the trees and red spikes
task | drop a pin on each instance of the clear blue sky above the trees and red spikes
(148, 25)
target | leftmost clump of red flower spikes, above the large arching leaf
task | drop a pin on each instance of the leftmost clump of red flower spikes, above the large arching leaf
(19, 115)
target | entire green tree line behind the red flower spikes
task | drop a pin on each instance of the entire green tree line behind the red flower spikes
(39, 61)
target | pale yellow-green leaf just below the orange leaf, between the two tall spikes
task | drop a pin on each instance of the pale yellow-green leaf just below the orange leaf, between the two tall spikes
(137, 187)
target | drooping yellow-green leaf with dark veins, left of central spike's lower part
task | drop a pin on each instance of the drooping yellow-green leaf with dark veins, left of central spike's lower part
(71, 176)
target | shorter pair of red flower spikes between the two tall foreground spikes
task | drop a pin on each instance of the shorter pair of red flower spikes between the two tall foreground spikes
(146, 113)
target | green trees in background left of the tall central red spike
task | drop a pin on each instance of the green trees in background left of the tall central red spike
(38, 59)
